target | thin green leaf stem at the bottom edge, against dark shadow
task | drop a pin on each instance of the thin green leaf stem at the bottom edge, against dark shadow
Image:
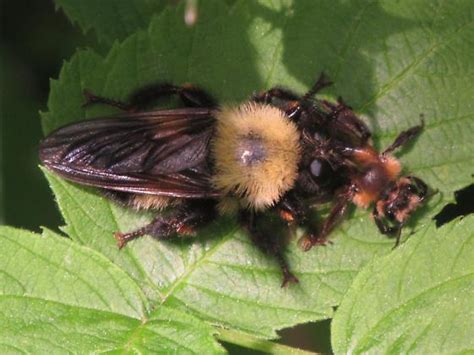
(254, 343)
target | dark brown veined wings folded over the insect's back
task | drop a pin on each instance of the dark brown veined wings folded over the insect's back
(157, 152)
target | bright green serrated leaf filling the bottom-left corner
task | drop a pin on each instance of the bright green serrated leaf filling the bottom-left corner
(58, 296)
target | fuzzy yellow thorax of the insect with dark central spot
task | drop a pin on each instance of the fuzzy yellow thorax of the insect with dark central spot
(256, 152)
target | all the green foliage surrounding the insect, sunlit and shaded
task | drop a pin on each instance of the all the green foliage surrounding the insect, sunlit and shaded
(390, 61)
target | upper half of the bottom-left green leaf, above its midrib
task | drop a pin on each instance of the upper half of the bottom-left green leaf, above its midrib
(67, 273)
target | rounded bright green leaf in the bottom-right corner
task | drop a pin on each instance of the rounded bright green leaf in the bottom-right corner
(415, 300)
